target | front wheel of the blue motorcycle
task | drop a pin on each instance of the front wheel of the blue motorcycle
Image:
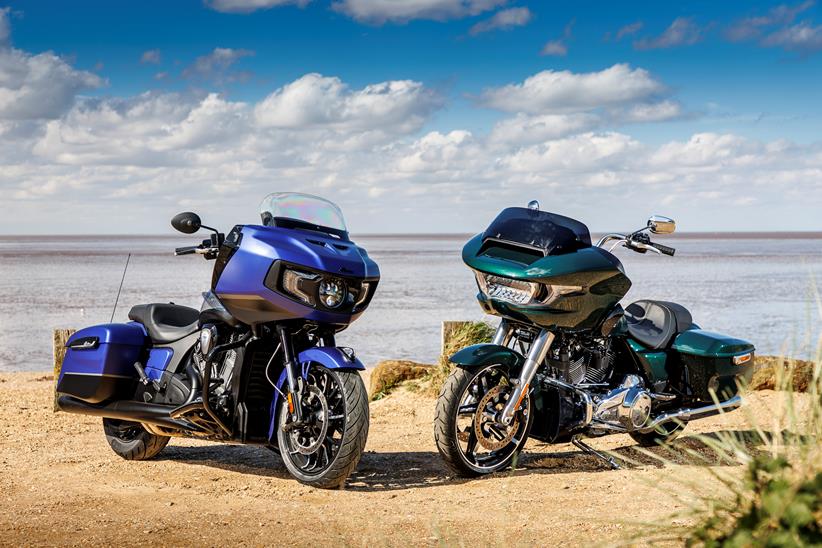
(325, 447)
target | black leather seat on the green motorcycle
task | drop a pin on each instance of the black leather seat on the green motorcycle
(656, 323)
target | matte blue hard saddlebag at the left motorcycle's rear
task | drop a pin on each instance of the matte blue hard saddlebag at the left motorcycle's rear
(99, 362)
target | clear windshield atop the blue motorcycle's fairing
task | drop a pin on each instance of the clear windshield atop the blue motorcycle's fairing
(311, 211)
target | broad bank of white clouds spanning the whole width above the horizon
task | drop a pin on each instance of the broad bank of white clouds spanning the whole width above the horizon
(132, 162)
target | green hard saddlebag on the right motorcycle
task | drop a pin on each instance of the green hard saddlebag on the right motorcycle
(714, 362)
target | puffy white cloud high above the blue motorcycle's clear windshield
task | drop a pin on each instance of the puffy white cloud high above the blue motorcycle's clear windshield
(399, 106)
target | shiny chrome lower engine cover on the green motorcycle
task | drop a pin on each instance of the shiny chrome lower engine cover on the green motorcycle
(627, 406)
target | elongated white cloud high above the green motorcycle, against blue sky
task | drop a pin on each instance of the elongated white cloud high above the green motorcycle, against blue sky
(563, 91)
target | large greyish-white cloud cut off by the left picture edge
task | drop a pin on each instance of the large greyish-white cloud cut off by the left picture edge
(39, 86)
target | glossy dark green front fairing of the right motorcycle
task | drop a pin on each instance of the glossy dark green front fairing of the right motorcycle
(598, 273)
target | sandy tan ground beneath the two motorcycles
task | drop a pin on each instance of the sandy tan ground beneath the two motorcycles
(61, 484)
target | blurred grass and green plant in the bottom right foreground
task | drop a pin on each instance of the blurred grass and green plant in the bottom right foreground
(778, 499)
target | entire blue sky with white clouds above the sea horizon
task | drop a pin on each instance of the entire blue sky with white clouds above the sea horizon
(413, 116)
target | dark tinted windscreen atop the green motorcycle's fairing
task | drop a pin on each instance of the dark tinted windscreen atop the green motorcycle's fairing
(551, 233)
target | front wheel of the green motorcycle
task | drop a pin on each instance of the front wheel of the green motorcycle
(466, 429)
